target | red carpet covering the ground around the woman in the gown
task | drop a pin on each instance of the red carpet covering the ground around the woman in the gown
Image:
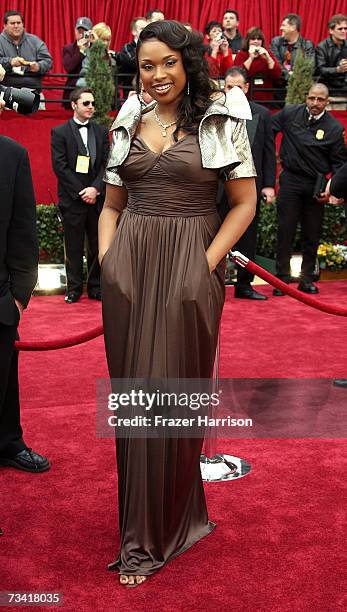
(279, 538)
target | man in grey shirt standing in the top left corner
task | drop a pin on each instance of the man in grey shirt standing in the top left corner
(24, 56)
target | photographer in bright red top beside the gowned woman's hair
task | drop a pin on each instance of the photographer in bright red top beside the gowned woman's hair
(218, 54)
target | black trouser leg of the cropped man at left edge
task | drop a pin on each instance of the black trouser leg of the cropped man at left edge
(11, 440)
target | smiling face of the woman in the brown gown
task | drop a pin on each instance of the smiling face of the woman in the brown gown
(161, 71)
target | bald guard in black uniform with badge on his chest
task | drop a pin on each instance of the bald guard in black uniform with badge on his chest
(312, 146)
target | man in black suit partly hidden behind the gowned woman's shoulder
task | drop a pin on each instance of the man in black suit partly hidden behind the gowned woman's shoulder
(264, 154)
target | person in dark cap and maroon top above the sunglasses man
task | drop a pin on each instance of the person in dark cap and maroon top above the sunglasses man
(73, 55)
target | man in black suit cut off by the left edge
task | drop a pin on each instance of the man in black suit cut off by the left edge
(18, 274)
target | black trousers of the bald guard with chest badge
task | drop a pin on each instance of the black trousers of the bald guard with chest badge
(295, 203)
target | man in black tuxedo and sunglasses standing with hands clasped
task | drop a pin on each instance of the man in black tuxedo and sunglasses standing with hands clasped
(79, 155)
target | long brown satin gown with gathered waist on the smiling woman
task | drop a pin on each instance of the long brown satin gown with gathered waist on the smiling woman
(162, 309)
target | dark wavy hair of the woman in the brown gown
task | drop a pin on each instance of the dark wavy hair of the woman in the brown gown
(192, 107)
